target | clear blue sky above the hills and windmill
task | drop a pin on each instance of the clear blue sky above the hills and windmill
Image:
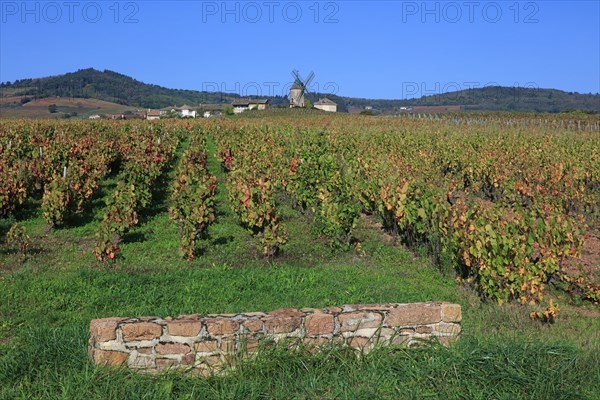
(381, 49)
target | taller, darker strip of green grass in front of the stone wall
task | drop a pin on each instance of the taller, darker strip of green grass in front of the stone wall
(53, 364)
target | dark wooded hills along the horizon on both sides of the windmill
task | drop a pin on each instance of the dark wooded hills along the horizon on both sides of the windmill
(123, 90)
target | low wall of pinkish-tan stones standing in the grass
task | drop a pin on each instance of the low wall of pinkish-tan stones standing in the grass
(209, 343)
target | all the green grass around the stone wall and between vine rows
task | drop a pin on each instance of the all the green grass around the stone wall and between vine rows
(47, 301)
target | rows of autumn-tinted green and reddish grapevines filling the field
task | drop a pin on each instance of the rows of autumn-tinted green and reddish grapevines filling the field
(509, 207)
